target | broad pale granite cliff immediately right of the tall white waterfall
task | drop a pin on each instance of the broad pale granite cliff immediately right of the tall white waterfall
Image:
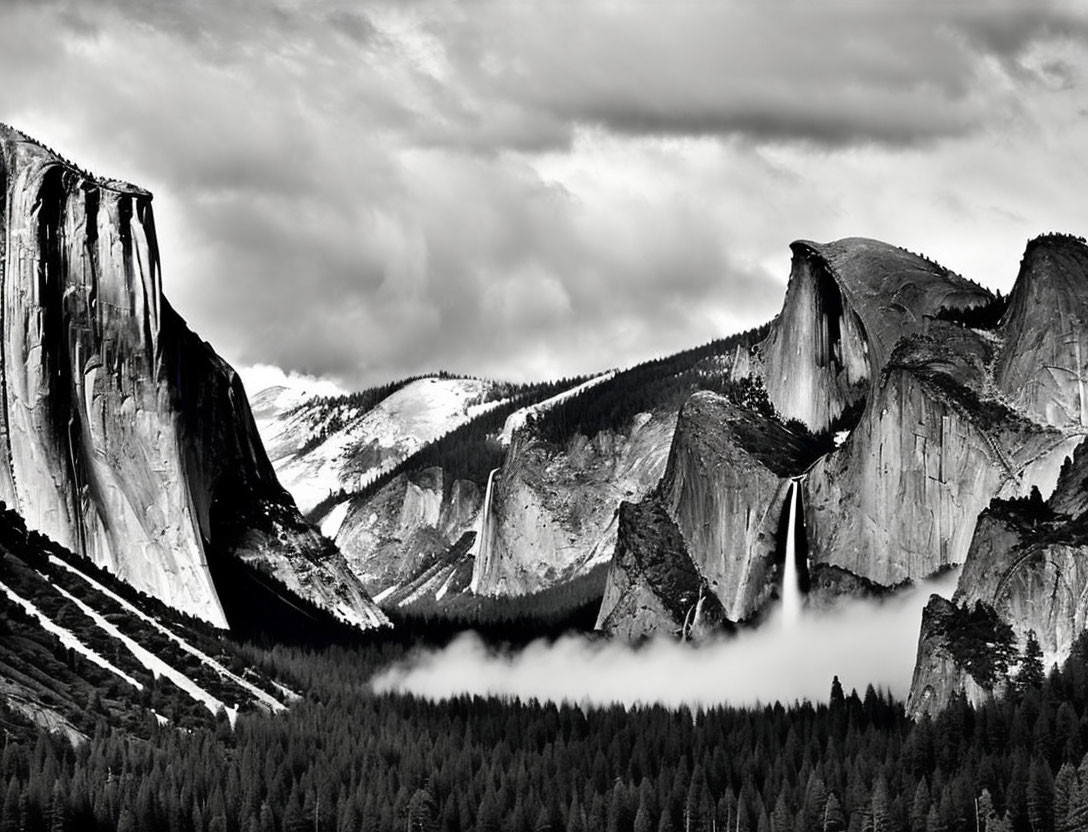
(899, 501)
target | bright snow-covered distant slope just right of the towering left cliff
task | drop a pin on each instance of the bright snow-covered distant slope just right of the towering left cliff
(322, 446)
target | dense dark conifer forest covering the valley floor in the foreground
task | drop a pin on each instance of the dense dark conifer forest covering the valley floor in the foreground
(347, 760)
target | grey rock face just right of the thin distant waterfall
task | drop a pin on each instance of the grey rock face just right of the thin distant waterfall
(554, 512)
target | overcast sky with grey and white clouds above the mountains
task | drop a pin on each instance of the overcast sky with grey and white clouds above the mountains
(526, 190)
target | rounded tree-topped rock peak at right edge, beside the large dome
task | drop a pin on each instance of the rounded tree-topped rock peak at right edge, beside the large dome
(1045, 363)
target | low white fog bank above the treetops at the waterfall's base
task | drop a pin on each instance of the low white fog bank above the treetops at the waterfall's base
(862, 642)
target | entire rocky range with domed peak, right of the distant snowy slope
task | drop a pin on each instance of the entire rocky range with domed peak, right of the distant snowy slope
(904, 400)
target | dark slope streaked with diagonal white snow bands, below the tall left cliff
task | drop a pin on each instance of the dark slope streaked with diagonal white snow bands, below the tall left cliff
(54, 605)
